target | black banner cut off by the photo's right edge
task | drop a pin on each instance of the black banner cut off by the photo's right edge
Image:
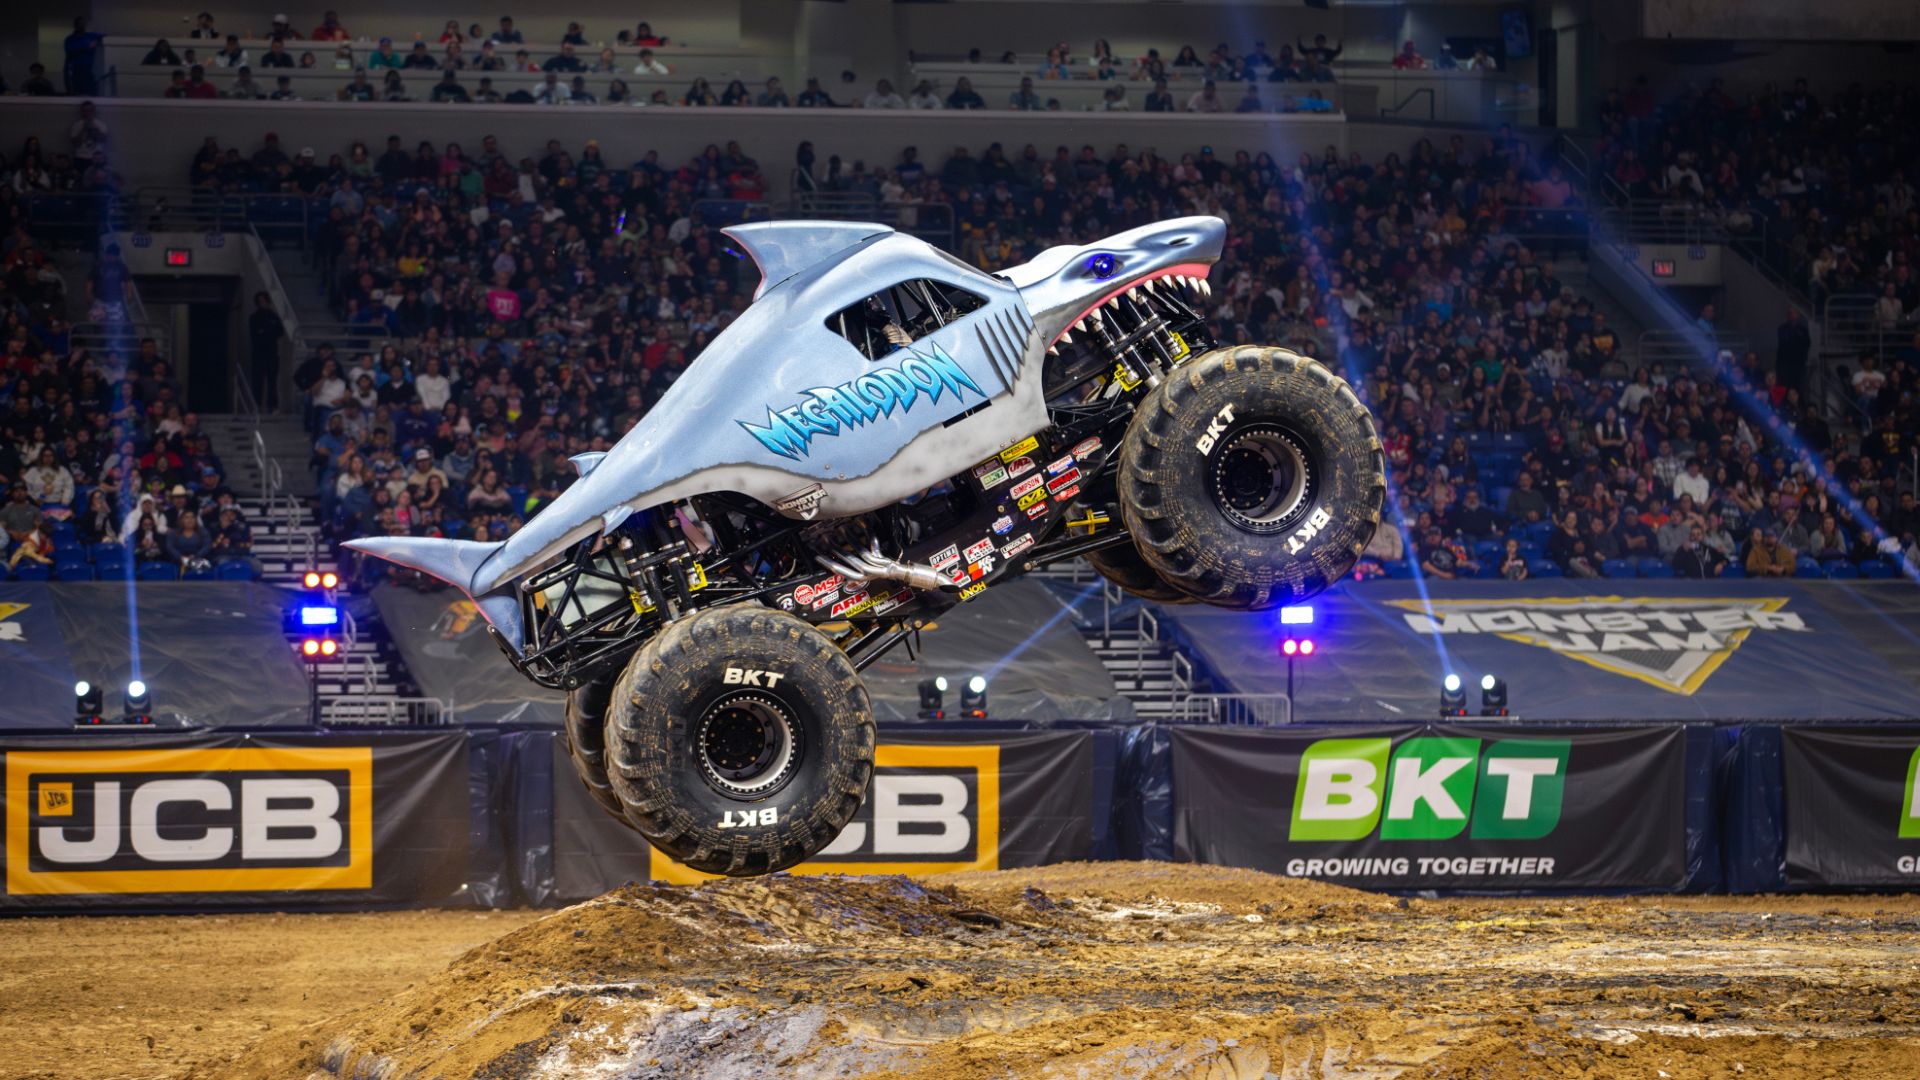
(1852, 806)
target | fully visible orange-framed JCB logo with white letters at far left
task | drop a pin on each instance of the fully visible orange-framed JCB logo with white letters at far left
(153, 822)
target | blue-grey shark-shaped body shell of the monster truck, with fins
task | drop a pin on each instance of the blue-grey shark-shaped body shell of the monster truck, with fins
(790, 412)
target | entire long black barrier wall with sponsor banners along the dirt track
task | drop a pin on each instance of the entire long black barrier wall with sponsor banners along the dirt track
(496, 818)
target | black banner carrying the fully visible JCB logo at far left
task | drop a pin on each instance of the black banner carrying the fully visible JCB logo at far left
(233, 822)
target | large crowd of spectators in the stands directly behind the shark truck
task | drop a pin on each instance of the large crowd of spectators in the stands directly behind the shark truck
(542, 303)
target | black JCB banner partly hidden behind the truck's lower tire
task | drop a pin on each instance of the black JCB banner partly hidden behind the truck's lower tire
(940, 802)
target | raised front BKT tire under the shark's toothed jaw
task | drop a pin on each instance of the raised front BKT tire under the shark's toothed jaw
(1253, 478)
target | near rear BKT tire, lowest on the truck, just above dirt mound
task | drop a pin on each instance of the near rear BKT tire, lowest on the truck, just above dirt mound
(740, 741)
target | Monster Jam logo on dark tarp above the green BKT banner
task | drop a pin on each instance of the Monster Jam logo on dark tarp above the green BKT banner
(1668, 643)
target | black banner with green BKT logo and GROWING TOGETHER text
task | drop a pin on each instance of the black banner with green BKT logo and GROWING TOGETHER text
(1437, 806)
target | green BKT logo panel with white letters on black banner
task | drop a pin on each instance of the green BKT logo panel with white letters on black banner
(1429, 789)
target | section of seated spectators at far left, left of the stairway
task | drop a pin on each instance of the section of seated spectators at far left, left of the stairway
(105, 470)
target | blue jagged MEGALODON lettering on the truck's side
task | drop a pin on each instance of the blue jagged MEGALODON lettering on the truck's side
(832, 410)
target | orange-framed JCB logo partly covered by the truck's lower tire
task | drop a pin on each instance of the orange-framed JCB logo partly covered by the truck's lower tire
(932, 810)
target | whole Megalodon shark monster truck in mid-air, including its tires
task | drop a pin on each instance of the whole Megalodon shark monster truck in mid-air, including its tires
(882, 435)
